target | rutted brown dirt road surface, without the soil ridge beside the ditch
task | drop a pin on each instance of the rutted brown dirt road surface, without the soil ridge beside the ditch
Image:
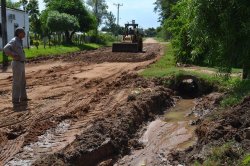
(66, 95)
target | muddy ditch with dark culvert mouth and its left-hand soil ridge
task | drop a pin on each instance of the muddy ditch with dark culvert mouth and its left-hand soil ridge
(113, 139)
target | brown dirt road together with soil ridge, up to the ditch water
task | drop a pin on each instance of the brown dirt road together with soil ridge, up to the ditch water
(85, 108)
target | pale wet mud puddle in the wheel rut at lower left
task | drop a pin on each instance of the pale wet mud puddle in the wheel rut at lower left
(53, 140)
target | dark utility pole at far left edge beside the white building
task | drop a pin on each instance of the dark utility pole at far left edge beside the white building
(4, 32)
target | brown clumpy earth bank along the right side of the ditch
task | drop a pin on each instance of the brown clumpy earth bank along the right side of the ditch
(216, 128)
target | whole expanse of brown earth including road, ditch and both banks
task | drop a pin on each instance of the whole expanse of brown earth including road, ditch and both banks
(89, 108)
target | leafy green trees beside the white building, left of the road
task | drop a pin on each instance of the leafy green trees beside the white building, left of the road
(65, 17)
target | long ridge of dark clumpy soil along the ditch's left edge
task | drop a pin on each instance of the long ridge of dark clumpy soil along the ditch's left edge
(108, 134)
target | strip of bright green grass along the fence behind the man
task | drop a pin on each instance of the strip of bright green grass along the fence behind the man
(58, 50)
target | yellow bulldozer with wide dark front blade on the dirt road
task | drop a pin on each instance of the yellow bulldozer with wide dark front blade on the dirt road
(131, 40)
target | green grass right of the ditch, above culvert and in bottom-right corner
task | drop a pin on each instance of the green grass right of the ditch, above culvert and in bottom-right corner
(236, 90)
